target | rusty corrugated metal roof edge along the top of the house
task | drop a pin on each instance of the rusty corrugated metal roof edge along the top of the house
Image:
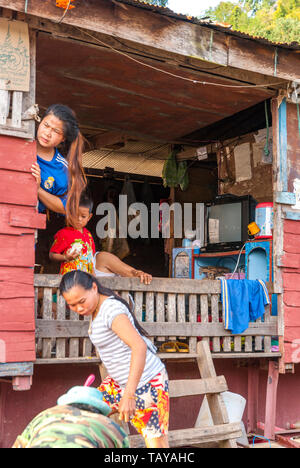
(227, 29)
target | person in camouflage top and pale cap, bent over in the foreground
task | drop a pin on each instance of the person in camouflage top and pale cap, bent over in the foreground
(78, 421)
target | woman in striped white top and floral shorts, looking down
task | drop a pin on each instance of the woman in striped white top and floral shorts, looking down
(137, 384)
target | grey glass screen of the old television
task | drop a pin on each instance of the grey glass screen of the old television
(225, 223)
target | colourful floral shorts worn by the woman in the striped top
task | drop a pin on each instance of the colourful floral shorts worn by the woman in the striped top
(152, 404)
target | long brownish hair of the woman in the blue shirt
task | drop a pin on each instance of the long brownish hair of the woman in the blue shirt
(73, 145)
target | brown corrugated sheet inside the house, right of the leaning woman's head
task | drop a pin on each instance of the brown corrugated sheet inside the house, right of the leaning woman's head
(134, 158)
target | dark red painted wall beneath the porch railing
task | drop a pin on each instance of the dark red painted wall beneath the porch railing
(50, 381)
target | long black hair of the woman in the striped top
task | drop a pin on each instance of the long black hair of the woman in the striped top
(86, 281)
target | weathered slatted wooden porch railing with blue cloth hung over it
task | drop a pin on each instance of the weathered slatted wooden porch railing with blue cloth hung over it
(169, 310)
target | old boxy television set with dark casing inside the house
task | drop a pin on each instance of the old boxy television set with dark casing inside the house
(226, 222)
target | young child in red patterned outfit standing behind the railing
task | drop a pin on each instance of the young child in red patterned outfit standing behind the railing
(74, 246)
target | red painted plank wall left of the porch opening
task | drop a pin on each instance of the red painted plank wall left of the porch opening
(18, 221)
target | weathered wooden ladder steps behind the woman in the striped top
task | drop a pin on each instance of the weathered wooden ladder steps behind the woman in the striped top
(222, 432)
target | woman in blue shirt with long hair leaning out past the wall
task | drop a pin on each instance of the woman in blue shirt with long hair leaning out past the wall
(60, 180)
